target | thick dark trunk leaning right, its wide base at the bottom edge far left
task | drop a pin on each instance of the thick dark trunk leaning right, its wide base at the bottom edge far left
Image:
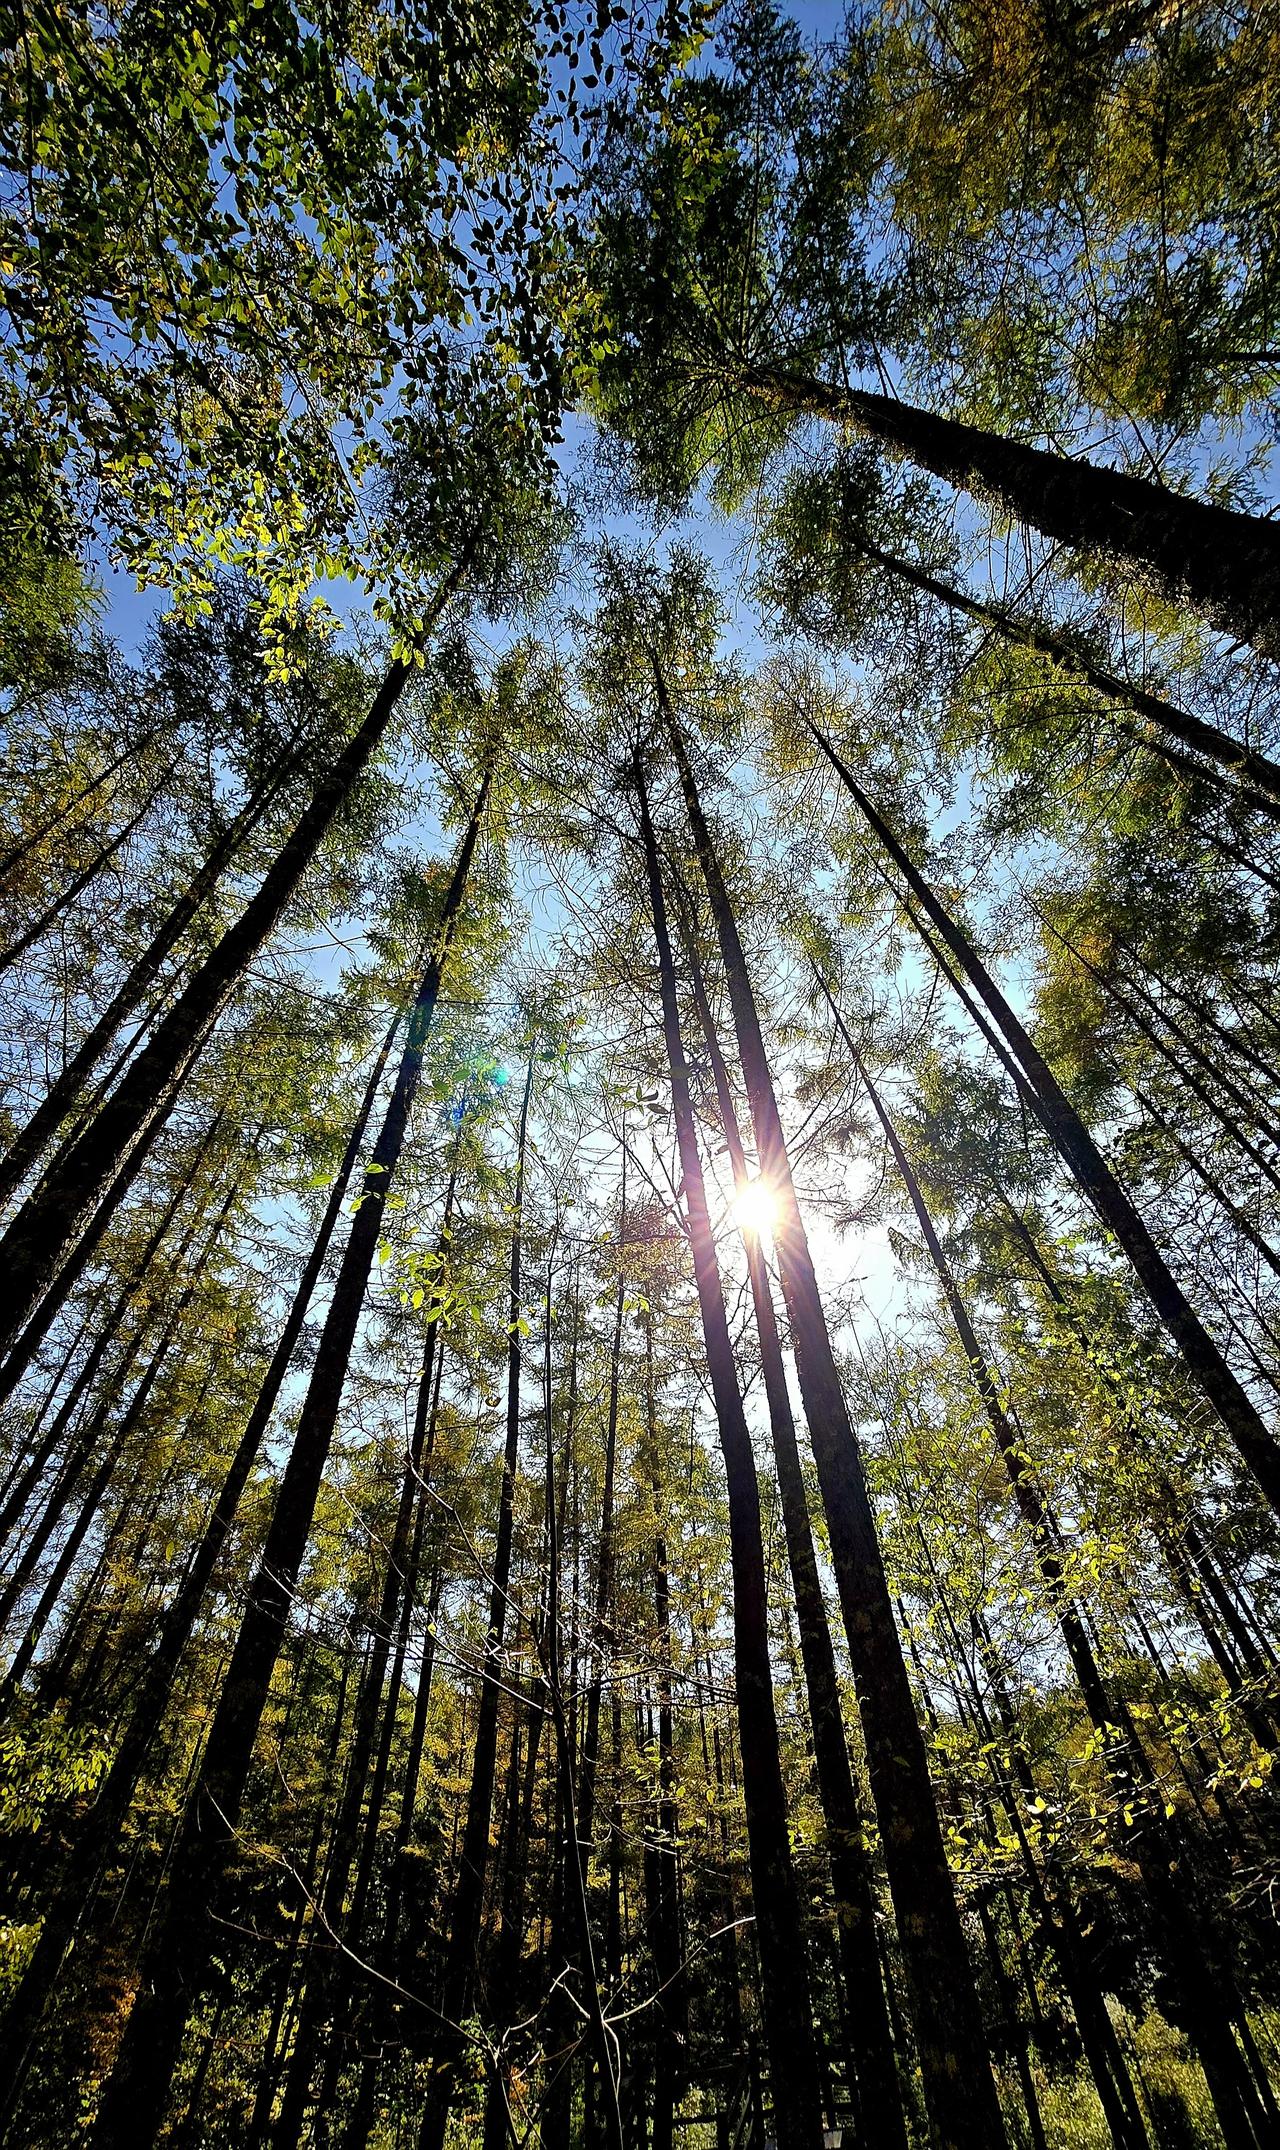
(175, 1962)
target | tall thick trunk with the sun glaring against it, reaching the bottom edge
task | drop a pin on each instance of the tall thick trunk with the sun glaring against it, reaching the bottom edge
(945, 2009)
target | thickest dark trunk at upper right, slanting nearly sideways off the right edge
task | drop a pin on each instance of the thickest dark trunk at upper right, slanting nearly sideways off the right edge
(1214, 560)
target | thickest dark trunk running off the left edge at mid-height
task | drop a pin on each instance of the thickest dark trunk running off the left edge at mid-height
(106, 1158)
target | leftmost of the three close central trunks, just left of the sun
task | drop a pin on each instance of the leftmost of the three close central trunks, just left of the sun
(788, 2018)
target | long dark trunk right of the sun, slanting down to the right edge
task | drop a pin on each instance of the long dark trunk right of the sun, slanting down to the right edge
(1090, 1169)
